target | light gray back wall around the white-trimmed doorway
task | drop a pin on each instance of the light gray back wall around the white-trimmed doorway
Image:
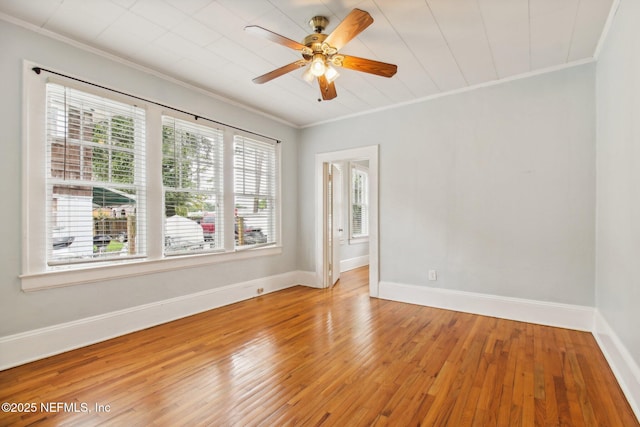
(494, 188)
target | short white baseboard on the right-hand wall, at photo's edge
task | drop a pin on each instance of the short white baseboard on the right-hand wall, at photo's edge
(622, 364)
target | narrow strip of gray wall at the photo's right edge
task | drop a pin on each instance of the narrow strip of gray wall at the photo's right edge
(618, 184)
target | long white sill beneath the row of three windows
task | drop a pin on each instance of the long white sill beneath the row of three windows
(78, 276)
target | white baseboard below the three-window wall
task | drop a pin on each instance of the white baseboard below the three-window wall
(40, 343)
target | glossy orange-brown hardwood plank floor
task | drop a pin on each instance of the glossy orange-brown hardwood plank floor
(333, 357)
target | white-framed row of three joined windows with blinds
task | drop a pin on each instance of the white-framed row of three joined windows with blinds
(109, 179)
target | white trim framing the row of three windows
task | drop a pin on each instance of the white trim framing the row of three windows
(35, 273)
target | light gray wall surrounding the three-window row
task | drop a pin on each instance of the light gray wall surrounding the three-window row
(21, 311)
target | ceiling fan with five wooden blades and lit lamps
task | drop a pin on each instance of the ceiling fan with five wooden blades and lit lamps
(320, 52)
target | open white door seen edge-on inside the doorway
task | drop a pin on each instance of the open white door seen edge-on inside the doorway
(332, 225)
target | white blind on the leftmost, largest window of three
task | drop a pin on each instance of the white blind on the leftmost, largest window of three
(95, 178)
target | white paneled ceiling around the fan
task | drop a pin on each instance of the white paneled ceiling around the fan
(438, 45)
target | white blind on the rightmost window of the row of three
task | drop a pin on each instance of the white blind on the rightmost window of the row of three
(255, 175)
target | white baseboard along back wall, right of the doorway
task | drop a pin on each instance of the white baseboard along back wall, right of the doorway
(532, 311)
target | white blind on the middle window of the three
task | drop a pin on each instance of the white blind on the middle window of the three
(192, 176)
